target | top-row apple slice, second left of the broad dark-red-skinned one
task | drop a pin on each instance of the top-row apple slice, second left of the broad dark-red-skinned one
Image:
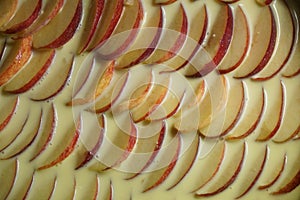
(173, 40)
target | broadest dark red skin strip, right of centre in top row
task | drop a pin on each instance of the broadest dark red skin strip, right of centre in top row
(223, 48)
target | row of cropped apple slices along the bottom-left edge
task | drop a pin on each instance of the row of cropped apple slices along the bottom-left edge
(52, 184)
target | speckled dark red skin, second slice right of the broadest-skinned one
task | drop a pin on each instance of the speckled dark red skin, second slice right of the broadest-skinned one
(270, 49)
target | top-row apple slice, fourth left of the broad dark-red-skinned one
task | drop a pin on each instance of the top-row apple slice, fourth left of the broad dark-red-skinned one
(125, 33)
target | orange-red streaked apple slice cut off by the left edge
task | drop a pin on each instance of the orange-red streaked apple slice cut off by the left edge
(16, 59)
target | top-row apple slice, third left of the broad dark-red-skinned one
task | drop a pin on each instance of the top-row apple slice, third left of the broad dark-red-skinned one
(152, 30)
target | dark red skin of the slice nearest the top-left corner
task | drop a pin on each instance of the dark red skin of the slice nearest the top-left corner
(27, 22)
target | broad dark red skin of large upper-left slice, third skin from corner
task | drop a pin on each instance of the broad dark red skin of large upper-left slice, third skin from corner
(70, 30)
